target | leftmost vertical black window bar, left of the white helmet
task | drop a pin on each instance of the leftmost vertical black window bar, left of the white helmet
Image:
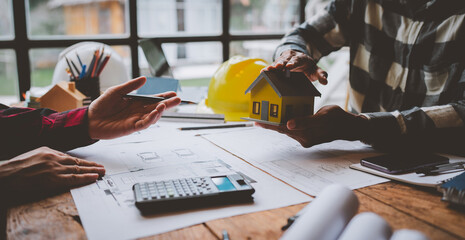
(21, 47)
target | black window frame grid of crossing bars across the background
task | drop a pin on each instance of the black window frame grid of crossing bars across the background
(21, 44)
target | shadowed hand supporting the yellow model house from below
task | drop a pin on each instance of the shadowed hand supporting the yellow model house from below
(328, 124)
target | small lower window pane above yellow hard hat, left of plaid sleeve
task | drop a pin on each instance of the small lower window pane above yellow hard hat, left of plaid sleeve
(263, 49)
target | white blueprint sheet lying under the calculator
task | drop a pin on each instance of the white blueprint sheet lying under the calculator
(107, 208)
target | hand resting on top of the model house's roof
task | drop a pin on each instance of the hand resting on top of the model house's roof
(299, 62)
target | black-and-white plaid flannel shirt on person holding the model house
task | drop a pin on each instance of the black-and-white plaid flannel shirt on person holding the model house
(406, 65)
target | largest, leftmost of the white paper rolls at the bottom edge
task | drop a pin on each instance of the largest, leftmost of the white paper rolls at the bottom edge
(326, 216)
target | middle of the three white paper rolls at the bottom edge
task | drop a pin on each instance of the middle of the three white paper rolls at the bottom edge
(367, 226)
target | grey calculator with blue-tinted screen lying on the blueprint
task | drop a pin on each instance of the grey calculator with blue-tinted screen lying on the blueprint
(189, 193)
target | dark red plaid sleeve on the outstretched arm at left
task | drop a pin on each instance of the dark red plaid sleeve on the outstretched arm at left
(24, 129)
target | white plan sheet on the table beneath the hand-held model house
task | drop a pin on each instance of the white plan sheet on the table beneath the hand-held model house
(308, 169)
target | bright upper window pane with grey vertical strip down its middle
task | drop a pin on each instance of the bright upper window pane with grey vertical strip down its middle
(178, 17)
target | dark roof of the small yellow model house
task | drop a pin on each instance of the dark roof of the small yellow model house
(295, 84)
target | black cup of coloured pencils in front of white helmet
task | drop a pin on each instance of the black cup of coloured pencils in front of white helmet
(86, 76)
